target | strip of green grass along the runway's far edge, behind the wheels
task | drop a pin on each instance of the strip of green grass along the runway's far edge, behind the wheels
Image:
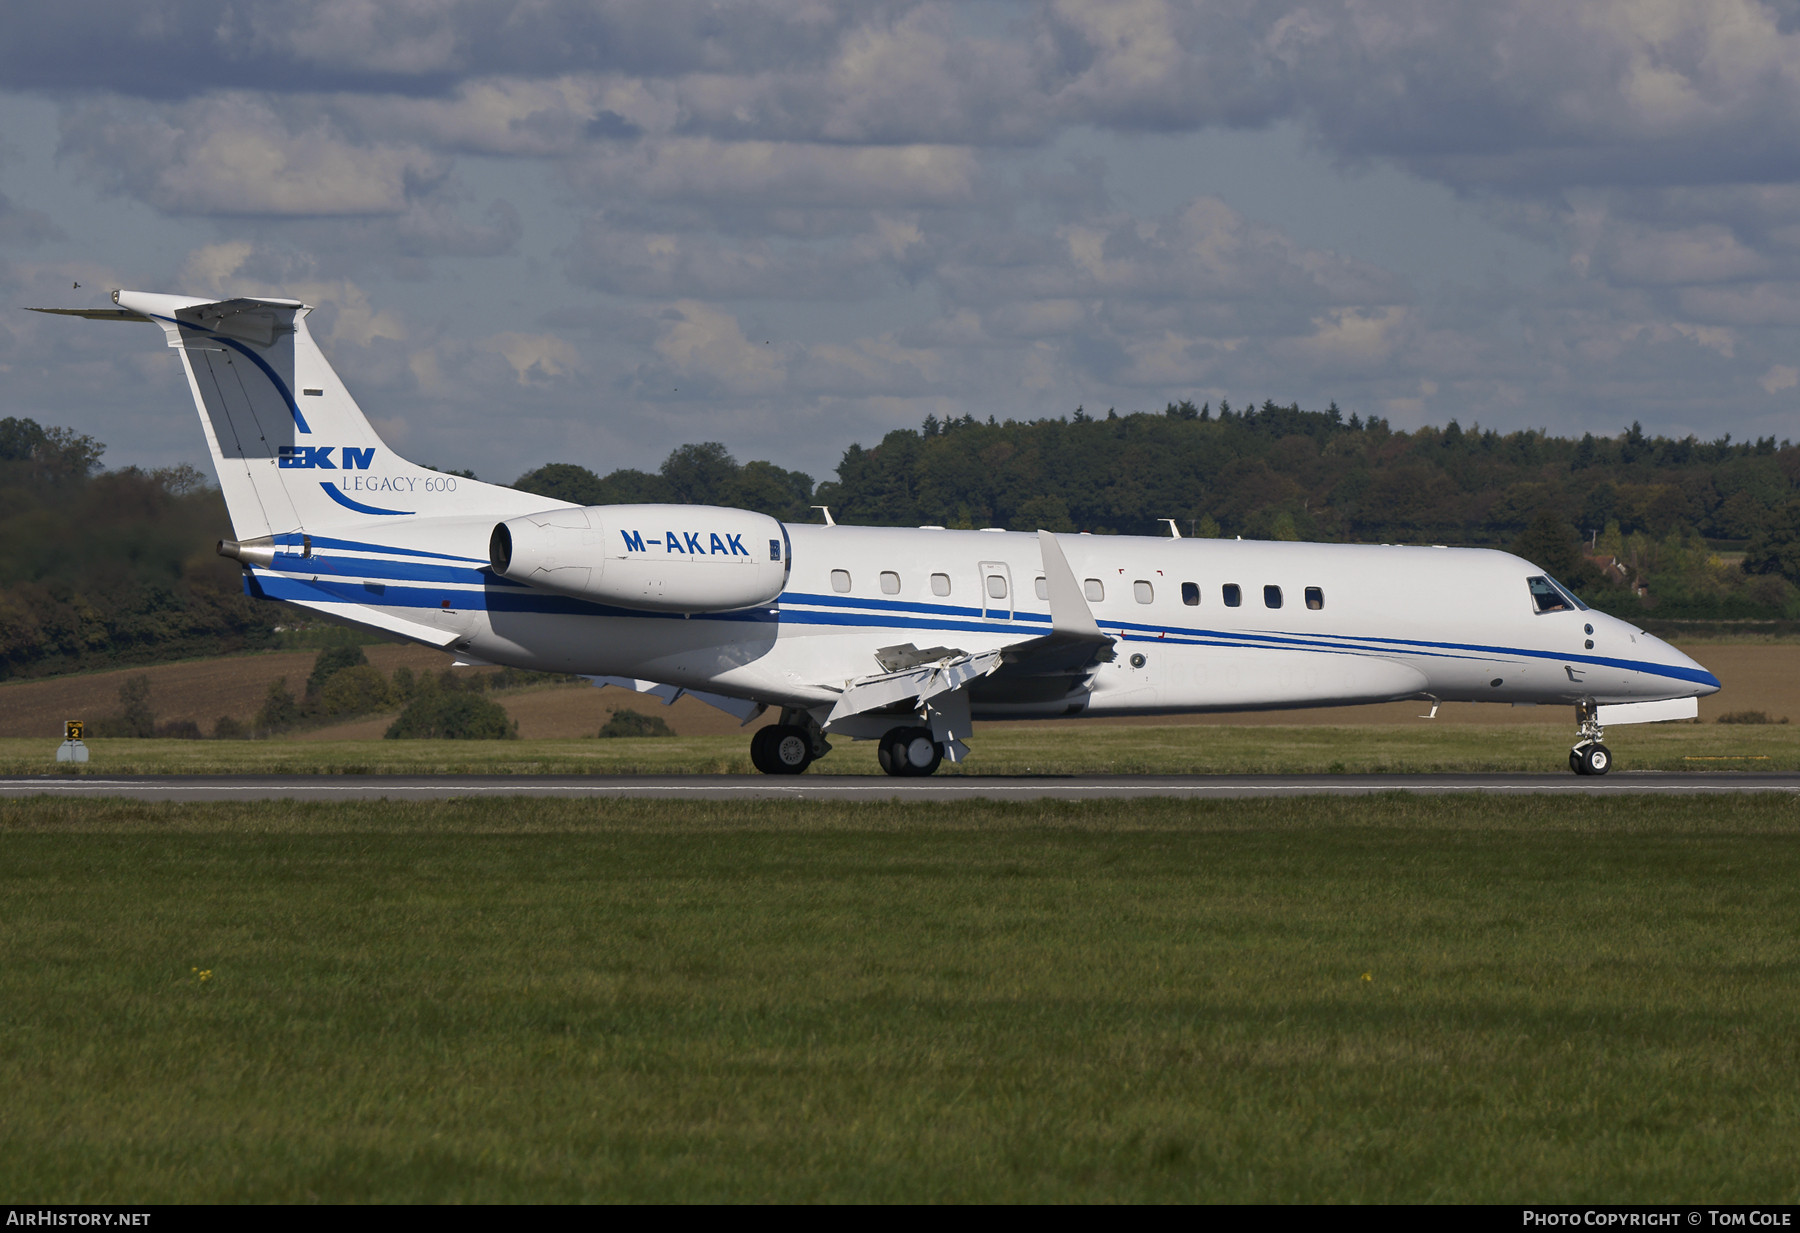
(1023, 750)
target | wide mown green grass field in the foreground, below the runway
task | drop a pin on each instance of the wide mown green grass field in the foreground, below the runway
(1452, 1000)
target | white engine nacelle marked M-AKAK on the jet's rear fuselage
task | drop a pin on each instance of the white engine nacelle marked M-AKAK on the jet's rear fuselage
(660, 559)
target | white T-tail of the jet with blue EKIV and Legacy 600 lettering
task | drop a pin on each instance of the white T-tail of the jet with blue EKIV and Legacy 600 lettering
(292, 449)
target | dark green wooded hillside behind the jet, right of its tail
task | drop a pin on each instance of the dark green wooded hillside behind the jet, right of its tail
(1700, 530)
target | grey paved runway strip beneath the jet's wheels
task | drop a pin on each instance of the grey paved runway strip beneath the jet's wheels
(876, 789)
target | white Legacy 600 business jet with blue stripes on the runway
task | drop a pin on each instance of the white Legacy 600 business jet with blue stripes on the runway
(897, 636)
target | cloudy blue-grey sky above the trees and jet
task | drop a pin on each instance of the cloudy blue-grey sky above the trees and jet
(570, 231)
